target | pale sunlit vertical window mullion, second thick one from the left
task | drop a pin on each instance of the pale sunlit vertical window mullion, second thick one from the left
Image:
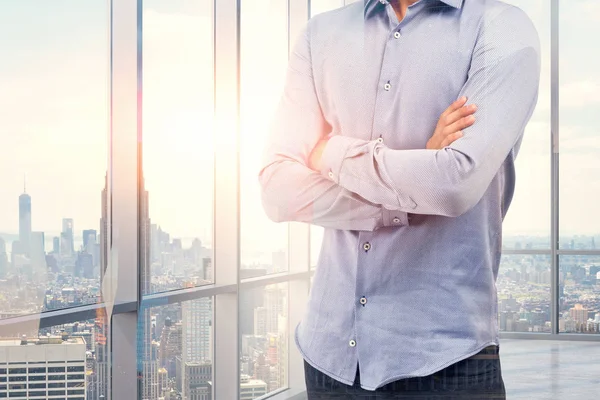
(226, 245)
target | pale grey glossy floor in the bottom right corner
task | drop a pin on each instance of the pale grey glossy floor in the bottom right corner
(553, 370)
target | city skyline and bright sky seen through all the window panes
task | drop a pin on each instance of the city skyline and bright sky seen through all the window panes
(53, 208)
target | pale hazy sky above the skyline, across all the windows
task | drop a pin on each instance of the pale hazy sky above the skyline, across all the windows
(54, 115)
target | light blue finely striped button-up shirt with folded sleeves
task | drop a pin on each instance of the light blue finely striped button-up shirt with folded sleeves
(405, 281)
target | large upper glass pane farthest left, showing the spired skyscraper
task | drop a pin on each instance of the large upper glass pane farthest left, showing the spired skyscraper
(54, 124)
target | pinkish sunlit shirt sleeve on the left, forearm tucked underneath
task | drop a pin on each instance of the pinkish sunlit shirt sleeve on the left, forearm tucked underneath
(290, 190)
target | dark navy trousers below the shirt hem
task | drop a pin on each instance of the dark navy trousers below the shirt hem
(477, 377)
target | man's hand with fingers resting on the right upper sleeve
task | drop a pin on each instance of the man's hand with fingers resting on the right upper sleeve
(452, 121)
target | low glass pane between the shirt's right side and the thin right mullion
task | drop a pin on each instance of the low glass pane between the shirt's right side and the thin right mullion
(524, 293)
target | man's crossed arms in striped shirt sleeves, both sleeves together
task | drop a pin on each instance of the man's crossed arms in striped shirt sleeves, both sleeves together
(503, 81)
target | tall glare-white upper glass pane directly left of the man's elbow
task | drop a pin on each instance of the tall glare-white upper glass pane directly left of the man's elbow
(264, 50)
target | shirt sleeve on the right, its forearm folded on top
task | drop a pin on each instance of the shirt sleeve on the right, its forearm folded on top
(503, 81)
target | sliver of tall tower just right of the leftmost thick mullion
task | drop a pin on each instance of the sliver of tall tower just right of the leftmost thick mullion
(148, 362)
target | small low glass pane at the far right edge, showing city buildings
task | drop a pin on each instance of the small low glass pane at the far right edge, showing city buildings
(579, 294)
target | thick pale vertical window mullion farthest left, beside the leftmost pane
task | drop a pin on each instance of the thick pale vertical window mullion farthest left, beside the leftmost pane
(121, 280)
